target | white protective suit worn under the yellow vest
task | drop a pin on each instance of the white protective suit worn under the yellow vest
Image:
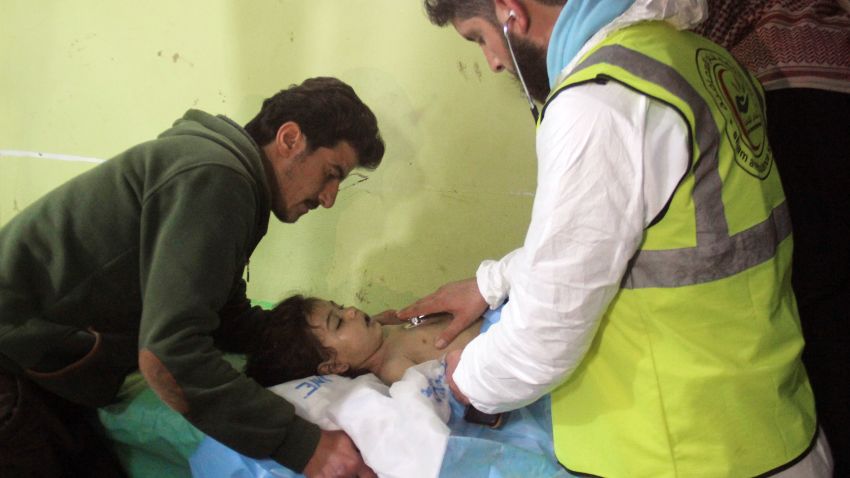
(600, 184)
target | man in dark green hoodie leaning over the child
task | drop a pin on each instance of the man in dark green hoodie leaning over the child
(137, 264)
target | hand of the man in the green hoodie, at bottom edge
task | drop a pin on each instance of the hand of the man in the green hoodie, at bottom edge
(337, 457)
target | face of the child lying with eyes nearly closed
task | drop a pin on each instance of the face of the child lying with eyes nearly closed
(350, 332)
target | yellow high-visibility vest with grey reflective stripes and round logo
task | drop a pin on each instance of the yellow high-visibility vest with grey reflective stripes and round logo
(695, 369)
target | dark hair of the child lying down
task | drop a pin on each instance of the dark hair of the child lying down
(287, 348)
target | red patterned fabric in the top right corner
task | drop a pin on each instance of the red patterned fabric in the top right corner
(786, 43)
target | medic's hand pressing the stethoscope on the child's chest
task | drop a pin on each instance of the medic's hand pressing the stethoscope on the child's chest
(462, 299)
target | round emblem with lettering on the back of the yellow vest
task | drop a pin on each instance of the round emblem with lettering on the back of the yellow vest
(737, 99)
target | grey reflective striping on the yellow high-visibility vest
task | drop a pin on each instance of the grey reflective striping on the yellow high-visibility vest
(678, 267)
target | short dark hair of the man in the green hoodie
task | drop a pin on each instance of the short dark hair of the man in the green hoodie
(327, 111)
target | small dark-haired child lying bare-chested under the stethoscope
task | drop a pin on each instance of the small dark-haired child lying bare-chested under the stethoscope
(305, 336)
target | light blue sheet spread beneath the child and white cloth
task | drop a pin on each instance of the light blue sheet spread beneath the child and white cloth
(522, 447)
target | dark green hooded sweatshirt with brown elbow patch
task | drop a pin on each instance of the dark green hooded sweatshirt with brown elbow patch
(142, 256)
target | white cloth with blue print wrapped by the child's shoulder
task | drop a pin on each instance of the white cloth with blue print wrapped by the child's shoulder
(400, 430)
